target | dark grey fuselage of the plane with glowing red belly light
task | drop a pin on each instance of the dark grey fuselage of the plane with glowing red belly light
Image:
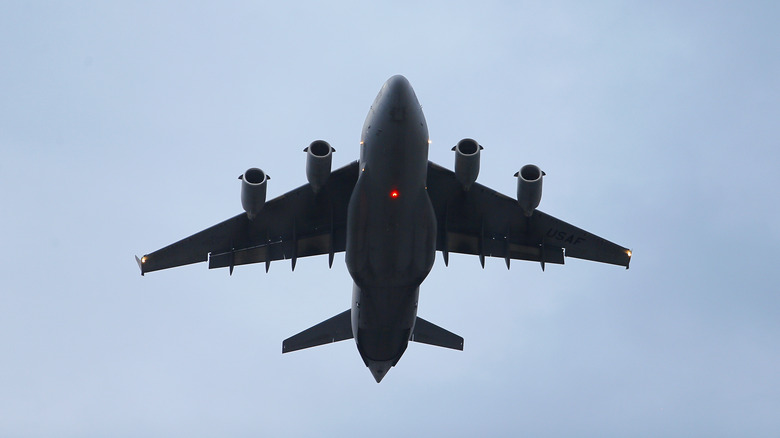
(391, 226)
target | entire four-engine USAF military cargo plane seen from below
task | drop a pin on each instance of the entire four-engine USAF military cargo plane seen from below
(390, 212)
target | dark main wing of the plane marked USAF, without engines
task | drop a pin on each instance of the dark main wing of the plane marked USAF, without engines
(484, 222)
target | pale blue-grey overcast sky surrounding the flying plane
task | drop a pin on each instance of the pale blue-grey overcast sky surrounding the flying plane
(123, 127)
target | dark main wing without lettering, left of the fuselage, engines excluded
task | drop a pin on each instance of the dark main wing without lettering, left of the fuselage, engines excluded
(299, 223)
